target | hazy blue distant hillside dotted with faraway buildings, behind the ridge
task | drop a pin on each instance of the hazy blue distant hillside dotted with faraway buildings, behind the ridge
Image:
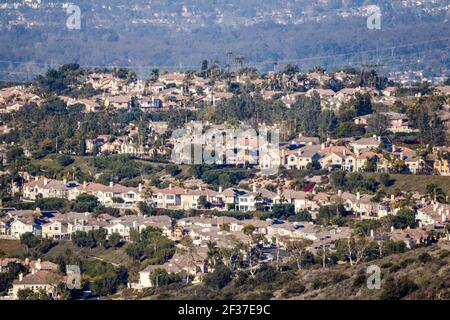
(178, 35)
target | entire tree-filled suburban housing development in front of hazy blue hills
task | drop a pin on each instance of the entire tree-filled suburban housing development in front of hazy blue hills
(223, 183)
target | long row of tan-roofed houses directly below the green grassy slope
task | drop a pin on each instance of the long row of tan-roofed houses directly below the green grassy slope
(203, 198)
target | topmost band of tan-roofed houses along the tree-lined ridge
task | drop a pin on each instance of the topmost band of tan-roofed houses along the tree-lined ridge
(188, 90)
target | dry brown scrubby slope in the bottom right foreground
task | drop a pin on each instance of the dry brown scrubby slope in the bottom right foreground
(422, 273)
